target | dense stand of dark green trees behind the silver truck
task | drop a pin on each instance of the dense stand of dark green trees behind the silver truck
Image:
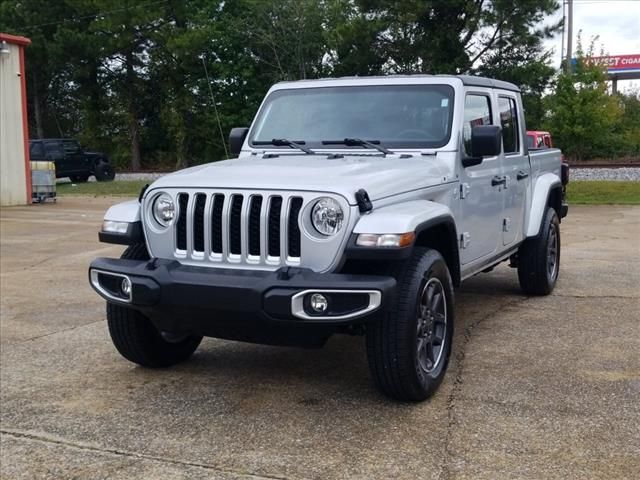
(130, 77)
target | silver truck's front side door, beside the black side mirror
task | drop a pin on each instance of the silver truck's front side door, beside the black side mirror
(481, 199)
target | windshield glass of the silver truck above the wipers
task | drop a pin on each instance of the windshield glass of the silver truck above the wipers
(398, 116)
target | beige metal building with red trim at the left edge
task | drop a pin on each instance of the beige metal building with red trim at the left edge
(15, 171)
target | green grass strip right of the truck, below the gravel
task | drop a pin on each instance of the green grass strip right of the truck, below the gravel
(603, 193)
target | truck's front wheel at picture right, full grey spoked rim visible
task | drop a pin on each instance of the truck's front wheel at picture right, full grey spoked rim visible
(398, 365)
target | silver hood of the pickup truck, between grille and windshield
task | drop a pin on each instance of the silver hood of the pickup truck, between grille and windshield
(379, 176)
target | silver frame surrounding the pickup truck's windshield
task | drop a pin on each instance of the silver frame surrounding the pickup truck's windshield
(395, 145)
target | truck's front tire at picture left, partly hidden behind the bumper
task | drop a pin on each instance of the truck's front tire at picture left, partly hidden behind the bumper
(138, 340)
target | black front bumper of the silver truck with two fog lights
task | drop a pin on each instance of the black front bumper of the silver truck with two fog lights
(248, 305)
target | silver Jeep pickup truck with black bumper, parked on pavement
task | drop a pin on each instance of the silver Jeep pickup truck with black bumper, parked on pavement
(356, 205)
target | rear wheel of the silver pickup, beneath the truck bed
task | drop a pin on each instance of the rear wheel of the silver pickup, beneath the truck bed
(539, 258)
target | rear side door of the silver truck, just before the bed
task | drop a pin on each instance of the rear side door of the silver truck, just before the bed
(516, 167)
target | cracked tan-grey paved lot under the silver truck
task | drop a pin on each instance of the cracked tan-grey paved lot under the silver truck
(539, 387)
